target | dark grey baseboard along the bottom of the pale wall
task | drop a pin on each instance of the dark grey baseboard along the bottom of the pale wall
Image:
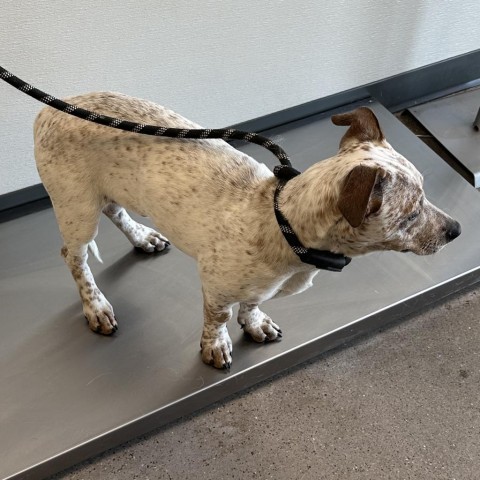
(395, 93)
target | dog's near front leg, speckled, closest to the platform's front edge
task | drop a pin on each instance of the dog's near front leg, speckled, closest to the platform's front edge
(216, 344)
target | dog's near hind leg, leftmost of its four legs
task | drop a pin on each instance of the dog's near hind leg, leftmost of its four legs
(78, 226)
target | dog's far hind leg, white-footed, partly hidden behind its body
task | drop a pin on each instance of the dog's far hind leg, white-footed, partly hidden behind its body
(139, 235)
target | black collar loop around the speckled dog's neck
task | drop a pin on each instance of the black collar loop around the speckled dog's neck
(322, 259)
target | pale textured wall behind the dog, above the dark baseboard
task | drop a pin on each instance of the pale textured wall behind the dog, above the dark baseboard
(217, 62)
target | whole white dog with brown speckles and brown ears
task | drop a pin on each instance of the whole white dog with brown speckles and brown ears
(215, 203)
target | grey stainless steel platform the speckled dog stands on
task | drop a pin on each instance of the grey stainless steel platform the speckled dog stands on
(66, 393)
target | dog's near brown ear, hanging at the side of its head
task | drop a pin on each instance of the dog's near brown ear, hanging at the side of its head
(361, 194)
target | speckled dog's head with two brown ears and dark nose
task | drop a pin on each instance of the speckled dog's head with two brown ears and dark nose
(380, 196)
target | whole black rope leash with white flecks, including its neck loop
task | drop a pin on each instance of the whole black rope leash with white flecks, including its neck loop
(319, 258)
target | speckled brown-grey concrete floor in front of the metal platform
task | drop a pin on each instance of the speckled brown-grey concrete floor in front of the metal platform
(399, 404)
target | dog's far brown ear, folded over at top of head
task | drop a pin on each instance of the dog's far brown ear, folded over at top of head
(364, 126)
